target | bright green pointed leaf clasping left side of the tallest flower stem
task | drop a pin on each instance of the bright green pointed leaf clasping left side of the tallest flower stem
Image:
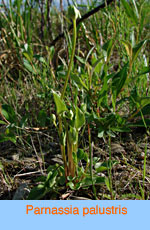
(60, 104)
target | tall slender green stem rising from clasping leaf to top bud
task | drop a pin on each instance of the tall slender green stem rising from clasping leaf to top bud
(72, 57)
